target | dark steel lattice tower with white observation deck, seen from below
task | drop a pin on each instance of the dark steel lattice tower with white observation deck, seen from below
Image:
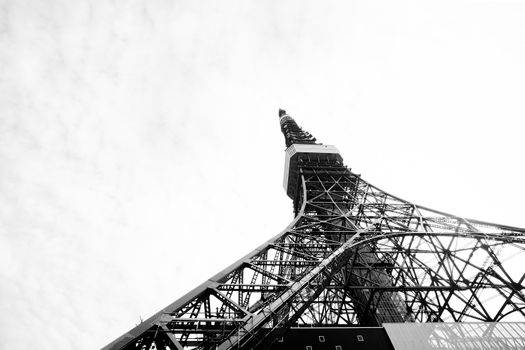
(353, 255)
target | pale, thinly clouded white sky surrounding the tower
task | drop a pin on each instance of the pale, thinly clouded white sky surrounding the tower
(140, 150)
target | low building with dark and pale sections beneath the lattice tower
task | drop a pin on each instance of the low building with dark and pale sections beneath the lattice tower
(407, 336)
